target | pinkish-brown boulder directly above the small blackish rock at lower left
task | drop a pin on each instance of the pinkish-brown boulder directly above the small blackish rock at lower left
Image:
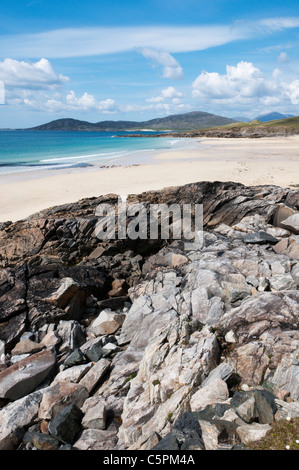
(58, 396)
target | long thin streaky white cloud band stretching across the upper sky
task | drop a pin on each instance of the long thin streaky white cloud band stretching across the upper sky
(80, 42)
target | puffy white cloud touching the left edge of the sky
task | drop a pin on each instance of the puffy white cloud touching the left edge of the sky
(37, 75)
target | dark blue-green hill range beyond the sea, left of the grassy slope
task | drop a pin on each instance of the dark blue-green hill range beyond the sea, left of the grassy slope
(176, 122)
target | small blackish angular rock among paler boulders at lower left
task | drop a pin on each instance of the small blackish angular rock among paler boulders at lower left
(66, 425)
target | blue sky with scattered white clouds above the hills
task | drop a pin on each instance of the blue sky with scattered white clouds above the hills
(136, 60)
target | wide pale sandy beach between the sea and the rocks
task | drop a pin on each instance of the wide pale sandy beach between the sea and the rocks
(249, 161)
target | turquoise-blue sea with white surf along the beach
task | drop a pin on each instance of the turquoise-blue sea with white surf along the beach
(24, 151)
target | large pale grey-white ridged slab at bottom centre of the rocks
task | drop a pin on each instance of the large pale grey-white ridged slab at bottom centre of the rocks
(166, 376)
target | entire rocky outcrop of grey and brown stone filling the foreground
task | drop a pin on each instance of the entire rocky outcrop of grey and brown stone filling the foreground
(143, 344)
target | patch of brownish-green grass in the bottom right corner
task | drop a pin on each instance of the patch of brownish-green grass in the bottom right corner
(284, 435)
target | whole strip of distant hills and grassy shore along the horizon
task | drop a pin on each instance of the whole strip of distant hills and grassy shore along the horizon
(195, 123)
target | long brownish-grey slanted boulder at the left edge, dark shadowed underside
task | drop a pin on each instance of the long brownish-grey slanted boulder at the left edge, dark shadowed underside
(23, 377)
